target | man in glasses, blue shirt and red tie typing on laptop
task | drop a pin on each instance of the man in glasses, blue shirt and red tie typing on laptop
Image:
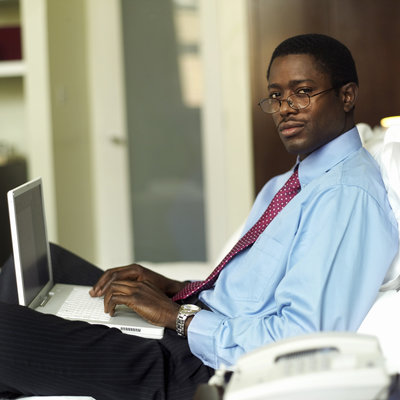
(313, 261)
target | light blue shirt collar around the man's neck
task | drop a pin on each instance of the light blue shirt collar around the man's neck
(327, 156)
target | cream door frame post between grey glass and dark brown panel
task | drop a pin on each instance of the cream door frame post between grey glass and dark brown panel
(226, 119)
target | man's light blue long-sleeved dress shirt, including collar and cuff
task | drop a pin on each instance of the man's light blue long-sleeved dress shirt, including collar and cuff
(317, 266)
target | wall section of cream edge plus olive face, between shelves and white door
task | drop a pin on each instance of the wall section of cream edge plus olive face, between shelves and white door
(57, 118)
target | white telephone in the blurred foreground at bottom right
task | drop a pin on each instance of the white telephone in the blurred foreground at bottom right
(337, 366)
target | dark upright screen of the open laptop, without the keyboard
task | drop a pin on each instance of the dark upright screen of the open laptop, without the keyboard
(32, 240)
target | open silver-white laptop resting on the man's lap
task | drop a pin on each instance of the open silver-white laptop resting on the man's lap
(34, 275)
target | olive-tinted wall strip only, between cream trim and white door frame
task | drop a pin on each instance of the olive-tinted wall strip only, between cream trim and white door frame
(72, 146)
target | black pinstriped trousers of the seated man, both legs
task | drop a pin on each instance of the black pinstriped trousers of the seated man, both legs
(45, 355)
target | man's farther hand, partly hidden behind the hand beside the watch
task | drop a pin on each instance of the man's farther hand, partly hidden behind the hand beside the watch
(135, 273)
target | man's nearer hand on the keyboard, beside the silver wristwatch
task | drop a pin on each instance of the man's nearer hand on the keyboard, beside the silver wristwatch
(144, 298)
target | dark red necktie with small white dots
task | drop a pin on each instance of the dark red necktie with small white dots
(284, 195)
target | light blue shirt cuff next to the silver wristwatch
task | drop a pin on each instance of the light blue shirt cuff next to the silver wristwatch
(201, 336)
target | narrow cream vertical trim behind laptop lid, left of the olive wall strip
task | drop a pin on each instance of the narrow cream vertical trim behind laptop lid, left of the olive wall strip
(39, 138)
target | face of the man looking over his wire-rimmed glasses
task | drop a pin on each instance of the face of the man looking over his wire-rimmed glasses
(303, 131)
